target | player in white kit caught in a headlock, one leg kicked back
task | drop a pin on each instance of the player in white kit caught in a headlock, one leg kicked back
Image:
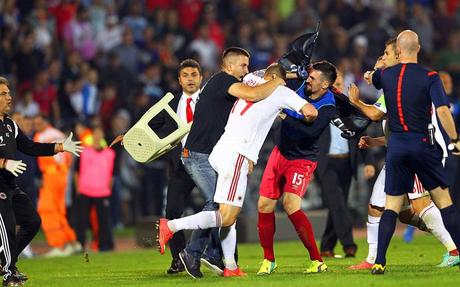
(234, 155)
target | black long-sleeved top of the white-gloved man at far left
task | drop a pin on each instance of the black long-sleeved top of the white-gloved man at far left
(13, 139)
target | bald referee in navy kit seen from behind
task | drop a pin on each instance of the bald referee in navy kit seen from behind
(409, 91)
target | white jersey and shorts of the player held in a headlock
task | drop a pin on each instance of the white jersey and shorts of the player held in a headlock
(245, 132)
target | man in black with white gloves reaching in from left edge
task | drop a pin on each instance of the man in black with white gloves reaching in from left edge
(23, 213)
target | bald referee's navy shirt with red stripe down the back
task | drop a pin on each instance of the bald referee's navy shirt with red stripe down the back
(409, 91)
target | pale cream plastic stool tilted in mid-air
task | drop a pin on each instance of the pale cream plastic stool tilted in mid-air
(143, 144)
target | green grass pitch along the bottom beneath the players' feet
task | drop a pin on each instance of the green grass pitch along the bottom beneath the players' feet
(409, 265)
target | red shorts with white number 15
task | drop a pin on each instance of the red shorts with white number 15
(283, 175)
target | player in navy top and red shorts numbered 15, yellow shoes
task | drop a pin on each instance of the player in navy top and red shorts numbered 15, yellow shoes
(291, 165)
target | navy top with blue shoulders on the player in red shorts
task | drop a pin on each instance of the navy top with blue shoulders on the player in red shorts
(299, 140)
